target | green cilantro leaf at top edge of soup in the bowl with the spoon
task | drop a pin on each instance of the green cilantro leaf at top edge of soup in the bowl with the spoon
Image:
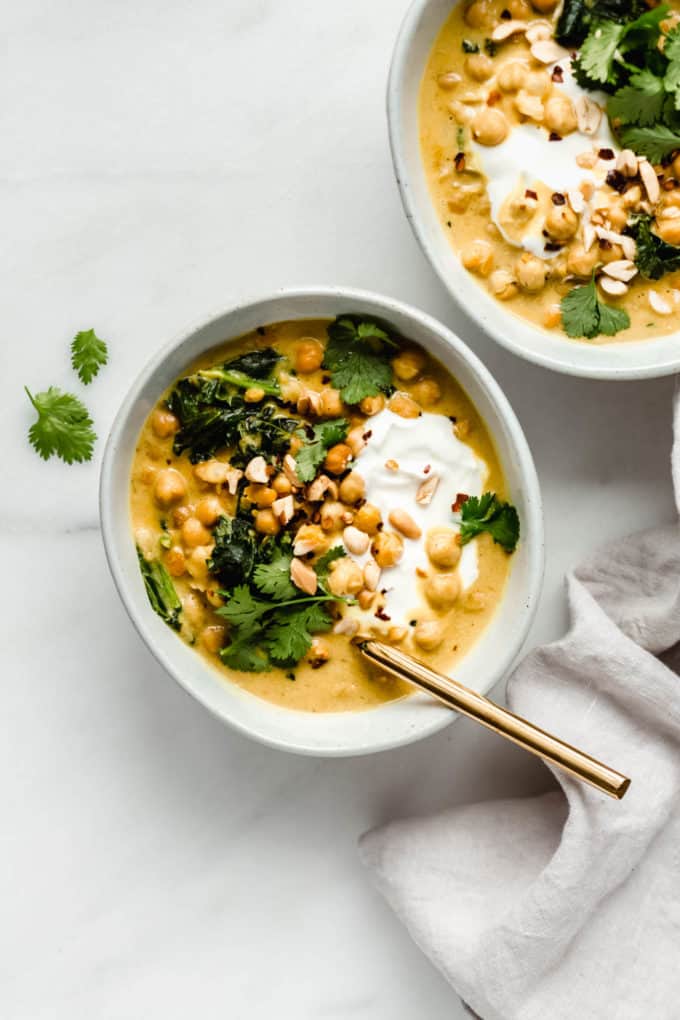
(358, 358)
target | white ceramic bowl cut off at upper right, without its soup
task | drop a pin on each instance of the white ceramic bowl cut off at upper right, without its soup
(644, 360)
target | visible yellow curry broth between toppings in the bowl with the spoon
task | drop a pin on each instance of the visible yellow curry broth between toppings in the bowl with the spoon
(344, 683)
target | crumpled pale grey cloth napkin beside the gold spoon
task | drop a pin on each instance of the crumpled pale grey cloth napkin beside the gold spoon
(568, 905)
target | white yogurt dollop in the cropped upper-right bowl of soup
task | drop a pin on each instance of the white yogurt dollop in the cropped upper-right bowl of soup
(529, 160)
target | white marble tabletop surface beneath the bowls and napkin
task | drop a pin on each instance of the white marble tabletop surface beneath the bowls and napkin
(160, 161)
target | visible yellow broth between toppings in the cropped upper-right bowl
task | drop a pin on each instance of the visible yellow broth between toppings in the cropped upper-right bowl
(469, 221)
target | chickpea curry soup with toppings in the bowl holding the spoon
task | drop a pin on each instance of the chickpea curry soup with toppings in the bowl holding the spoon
(312, 485)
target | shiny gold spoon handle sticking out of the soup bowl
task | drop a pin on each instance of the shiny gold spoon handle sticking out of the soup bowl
(499, 720)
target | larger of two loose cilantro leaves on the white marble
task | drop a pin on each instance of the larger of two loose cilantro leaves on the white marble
(64, 427)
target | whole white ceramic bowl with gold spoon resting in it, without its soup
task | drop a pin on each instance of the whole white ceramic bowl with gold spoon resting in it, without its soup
(348, 733)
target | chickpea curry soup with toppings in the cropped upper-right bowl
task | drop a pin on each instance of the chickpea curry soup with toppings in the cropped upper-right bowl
(551, 137)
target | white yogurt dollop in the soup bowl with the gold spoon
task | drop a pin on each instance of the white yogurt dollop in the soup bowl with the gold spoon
(423, 448)
